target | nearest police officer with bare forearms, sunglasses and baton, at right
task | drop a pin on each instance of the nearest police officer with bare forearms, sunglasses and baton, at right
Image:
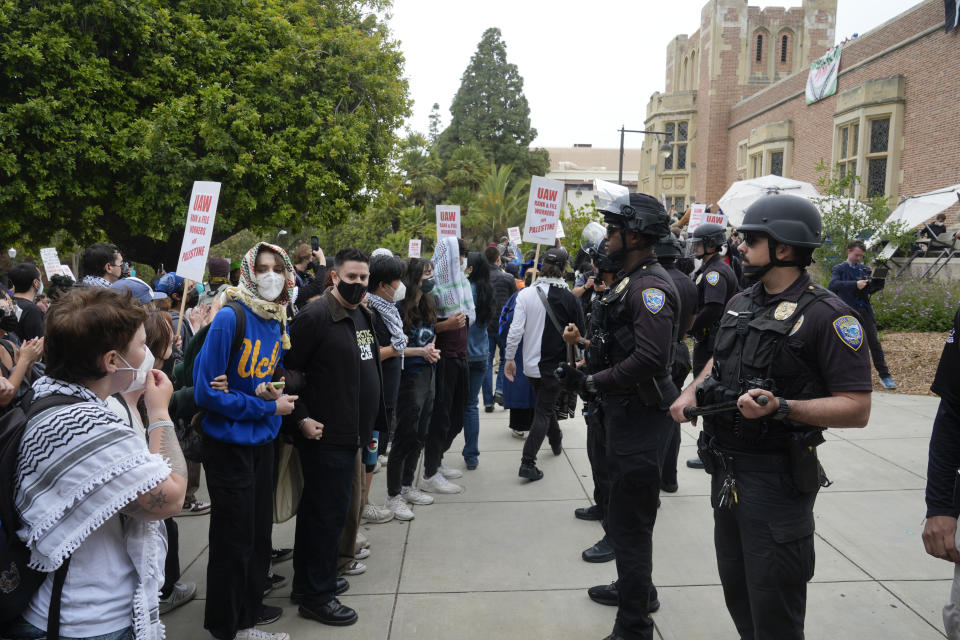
(790, 360)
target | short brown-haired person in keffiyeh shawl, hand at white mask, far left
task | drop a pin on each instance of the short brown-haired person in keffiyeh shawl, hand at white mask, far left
(70, 498)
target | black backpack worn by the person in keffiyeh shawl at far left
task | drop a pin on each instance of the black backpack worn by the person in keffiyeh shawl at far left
(18, 582)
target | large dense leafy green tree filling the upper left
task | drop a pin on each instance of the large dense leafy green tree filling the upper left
(109, 111)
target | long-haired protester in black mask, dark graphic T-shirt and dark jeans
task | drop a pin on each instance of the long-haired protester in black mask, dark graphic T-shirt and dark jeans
(418, 312)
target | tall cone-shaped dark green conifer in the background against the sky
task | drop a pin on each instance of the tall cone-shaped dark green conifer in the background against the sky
(490, 111)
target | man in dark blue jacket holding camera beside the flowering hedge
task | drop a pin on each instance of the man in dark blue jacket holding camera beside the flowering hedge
(851, 281)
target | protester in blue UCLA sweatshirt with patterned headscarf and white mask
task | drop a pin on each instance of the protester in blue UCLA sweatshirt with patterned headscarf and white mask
(239, 430)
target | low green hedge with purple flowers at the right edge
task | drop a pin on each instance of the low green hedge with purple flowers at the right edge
(916, 304)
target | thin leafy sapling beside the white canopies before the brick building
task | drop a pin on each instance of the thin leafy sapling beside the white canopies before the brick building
(845, 219)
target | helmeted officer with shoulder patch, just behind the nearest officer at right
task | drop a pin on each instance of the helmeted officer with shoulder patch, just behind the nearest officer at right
(716, 284)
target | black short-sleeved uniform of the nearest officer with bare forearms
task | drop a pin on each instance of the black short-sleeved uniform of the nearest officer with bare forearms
(801, 343)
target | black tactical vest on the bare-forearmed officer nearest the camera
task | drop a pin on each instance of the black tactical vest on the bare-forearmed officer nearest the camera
(752, 351)
